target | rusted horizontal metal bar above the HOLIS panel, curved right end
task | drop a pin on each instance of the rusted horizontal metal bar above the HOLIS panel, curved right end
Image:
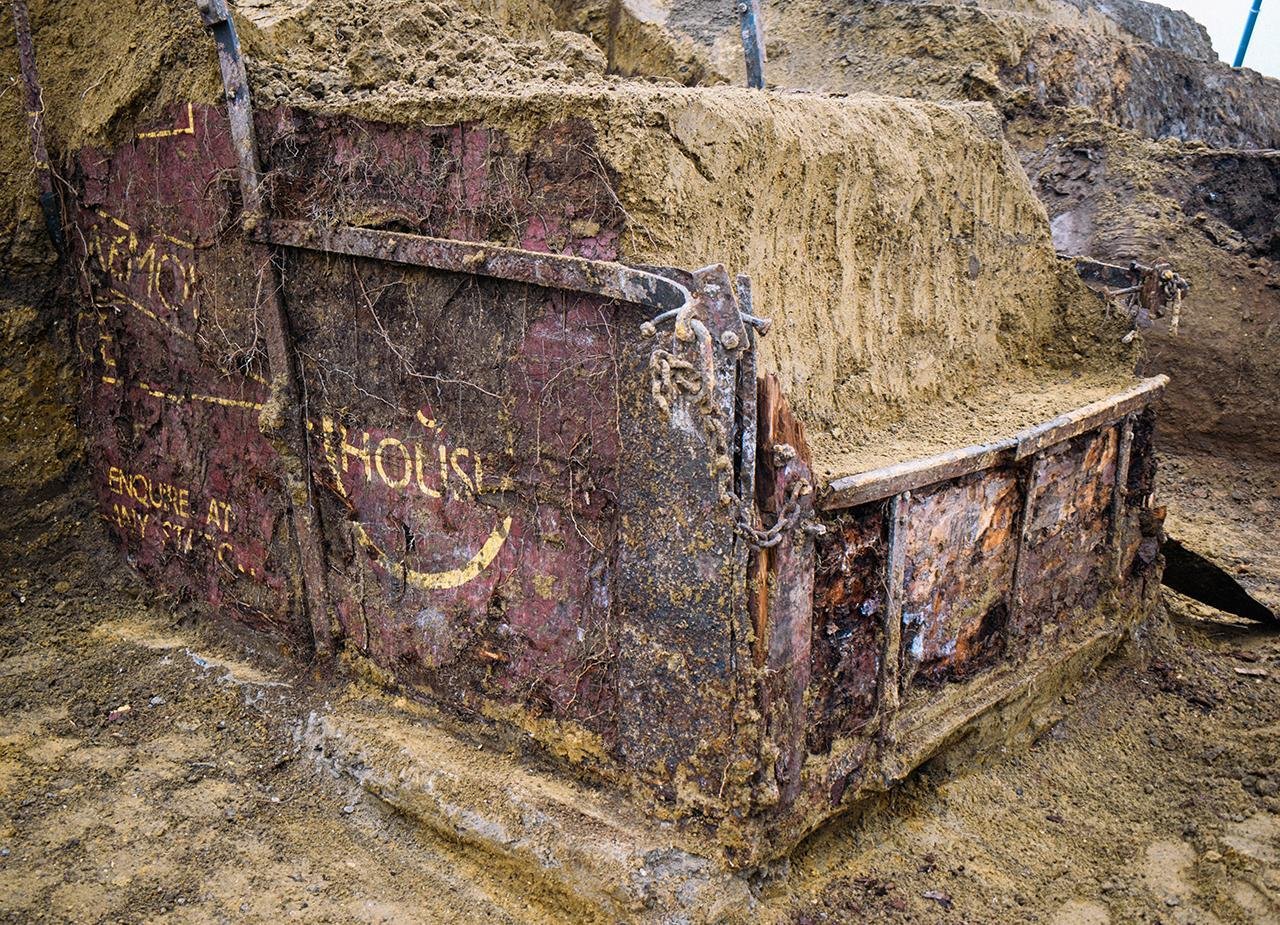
(552, 271)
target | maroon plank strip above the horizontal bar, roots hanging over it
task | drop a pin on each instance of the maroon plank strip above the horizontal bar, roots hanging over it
(464, 181)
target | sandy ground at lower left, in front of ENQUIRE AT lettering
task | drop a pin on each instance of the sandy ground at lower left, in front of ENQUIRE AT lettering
(149, 772)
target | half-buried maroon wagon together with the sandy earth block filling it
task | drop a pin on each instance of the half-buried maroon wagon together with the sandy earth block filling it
(527, 502)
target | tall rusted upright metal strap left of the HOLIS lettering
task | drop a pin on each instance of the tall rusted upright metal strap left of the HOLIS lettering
(289, 432)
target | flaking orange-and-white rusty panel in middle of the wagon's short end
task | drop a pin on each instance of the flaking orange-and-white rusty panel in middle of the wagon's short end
(962, 547)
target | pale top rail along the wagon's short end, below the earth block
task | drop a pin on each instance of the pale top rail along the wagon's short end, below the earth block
(874, 486)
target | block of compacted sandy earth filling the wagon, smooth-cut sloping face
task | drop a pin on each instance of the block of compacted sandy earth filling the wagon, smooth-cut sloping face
(895, 273)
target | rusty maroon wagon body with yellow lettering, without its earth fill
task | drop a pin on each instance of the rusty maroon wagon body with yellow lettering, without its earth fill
(551, 493)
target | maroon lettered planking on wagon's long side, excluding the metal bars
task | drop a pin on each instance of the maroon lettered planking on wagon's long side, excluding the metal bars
(467, 436)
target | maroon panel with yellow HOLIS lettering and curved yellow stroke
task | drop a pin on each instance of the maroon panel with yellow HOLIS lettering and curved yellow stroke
(470, 506)
